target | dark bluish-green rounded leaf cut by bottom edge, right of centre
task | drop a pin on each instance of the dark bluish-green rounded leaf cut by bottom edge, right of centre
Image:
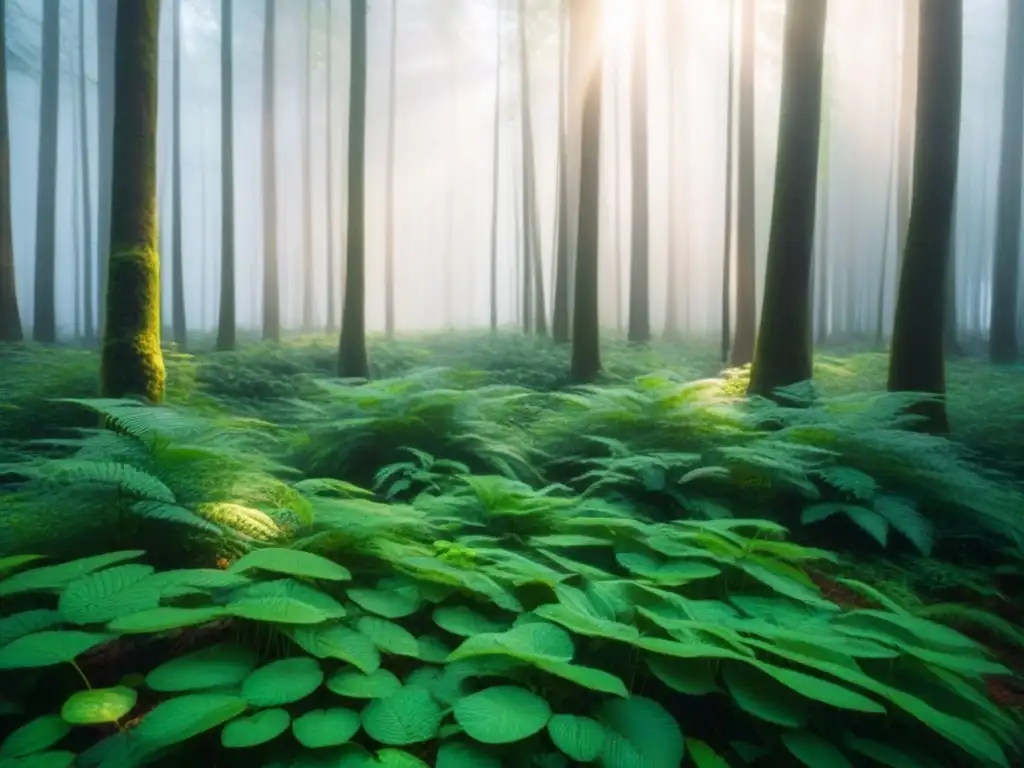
(641, 732)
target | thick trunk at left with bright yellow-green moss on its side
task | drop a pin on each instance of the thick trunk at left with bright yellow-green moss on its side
(132, 363)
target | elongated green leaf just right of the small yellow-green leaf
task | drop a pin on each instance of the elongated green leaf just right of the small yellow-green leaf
(183, 718)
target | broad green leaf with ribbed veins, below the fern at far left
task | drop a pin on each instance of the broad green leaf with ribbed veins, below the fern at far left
(100, 598)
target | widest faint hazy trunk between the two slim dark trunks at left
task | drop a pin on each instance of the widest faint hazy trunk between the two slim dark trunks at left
(272, 290)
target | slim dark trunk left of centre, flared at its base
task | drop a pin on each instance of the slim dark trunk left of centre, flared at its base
(353, 363)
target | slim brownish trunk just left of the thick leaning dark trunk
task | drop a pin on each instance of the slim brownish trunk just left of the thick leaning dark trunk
(747, 301)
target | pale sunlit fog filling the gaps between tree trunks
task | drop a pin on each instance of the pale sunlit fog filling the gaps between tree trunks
(447, 63)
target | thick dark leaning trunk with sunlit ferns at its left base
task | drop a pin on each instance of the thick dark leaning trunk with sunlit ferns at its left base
(784, 354)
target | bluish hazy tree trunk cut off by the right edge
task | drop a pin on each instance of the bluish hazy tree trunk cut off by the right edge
(1003, 342)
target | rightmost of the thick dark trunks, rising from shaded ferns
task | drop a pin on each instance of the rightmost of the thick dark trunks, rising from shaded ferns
(917, 362)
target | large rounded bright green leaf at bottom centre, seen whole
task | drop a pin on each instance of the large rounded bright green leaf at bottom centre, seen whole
(502, 714)
